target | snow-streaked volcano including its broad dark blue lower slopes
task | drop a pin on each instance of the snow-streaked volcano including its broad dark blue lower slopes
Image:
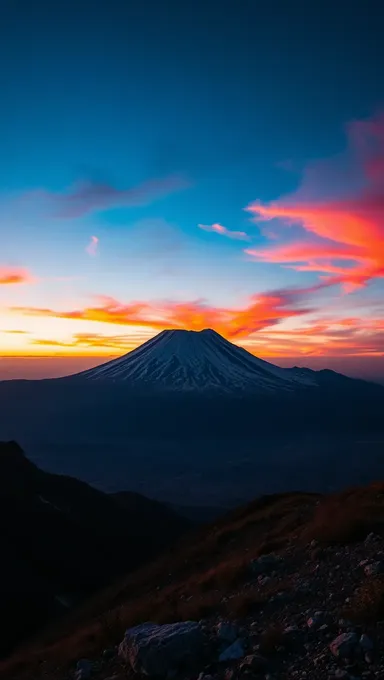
(191, 419)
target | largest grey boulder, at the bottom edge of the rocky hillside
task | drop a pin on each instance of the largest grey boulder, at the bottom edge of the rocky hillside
(155, 650)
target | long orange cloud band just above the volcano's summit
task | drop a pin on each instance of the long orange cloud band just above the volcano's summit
(261, 311)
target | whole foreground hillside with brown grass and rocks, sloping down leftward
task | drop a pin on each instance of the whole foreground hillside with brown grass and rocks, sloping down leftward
(290, 586)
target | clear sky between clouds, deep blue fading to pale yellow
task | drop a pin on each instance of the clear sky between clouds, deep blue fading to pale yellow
(236, 101)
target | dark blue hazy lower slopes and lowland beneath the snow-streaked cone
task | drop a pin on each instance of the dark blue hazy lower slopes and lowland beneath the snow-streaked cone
(193, 449)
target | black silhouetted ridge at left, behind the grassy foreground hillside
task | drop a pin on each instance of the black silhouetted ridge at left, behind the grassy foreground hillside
(61, 540)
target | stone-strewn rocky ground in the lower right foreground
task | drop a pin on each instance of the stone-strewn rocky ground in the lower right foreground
(305, 629)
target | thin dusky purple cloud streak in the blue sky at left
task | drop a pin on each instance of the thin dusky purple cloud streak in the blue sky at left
(88, 196)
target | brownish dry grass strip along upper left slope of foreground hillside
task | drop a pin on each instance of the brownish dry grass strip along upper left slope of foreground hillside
(192, 582)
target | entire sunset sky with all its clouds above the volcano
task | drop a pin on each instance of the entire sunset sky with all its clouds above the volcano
(190, 165)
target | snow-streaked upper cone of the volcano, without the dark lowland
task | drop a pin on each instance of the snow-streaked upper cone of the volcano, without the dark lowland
(180, 360)
